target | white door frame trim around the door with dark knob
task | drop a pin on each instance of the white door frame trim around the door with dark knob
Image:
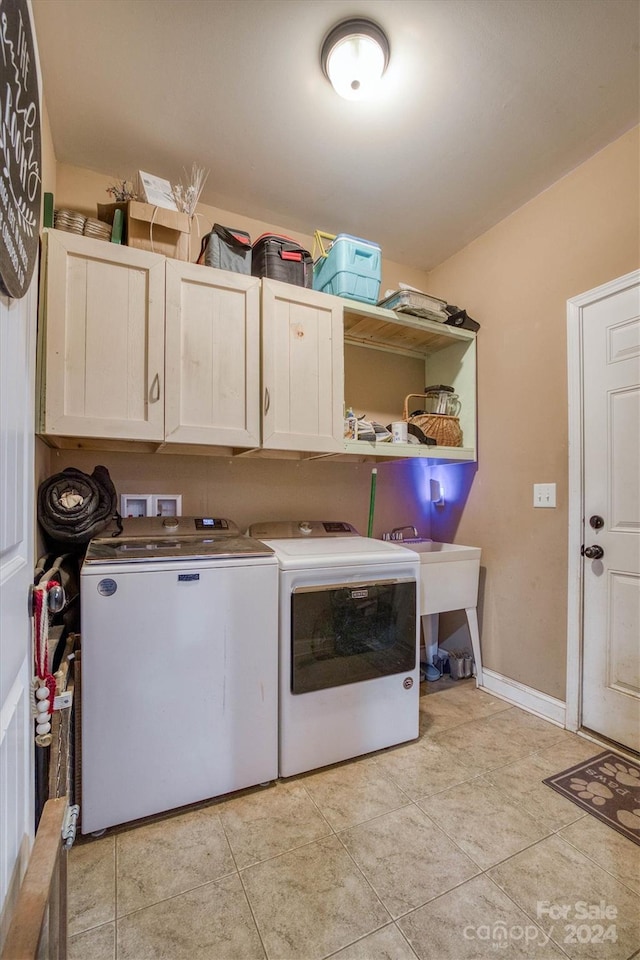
(575, 309)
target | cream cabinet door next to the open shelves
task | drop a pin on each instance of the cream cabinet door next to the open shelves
(302, 369)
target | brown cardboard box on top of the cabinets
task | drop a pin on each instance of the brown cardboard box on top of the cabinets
(152, 228)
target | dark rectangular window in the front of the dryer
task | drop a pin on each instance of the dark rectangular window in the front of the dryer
(347, 633)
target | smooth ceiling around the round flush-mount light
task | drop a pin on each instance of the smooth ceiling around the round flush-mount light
(485, 103)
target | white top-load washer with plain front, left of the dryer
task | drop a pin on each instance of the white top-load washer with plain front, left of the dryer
(179, 623)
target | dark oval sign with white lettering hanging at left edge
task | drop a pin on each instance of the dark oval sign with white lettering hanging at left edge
(20, 149)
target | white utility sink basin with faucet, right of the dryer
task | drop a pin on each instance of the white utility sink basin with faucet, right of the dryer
(449, 575)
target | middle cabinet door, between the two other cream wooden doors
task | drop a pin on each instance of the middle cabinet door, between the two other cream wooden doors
(212, 356)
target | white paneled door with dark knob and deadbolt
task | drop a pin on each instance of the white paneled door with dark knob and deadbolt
(611, 514)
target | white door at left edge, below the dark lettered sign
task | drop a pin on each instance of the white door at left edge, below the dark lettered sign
(17, 362)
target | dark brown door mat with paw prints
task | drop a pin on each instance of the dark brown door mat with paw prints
(608, 787)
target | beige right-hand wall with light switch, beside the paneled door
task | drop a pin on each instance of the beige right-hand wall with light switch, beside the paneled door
(515, 280)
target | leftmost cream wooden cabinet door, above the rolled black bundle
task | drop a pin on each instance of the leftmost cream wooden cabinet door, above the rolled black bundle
(102, 315)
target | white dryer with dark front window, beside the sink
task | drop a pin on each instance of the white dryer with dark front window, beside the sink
(349, 642)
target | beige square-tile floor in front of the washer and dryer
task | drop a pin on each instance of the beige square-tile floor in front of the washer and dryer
(447, 848)
